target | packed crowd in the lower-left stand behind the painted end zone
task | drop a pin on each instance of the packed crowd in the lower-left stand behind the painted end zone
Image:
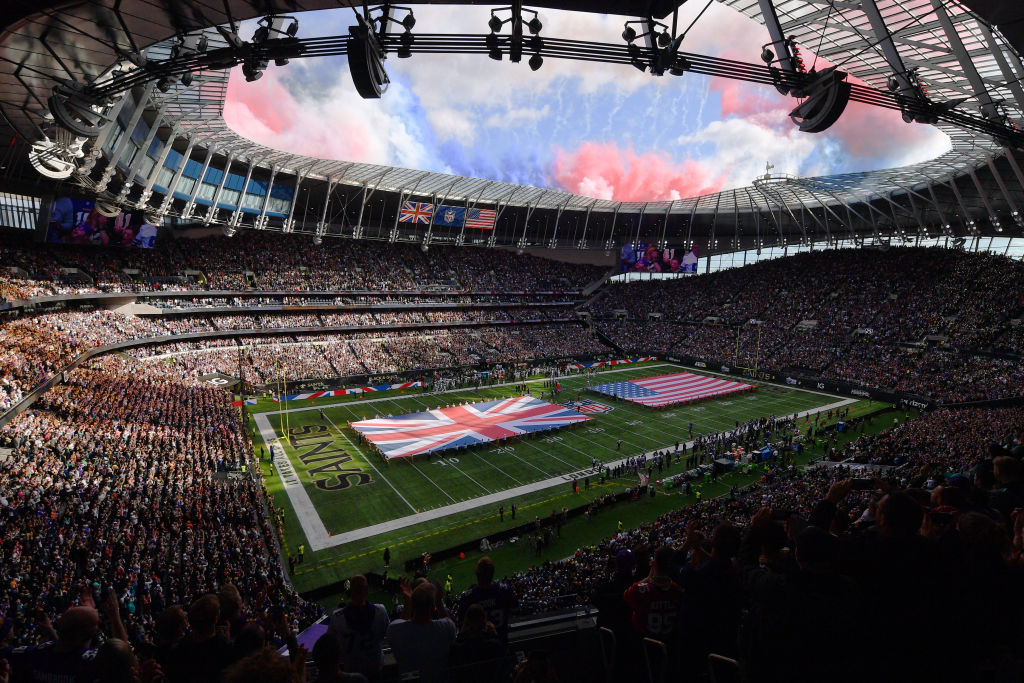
(114, 479)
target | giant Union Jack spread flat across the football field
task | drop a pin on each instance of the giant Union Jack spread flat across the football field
(416, 434)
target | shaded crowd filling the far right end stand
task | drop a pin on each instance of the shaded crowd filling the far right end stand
(919, 330)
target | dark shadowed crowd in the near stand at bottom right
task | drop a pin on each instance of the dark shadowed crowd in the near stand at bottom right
(848, 575)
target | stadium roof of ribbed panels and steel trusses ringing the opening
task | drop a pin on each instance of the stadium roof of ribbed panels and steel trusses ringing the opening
(956, 54)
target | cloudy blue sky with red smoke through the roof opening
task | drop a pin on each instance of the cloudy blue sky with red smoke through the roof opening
(602, 131)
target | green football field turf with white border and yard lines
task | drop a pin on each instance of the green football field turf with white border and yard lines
(350, 489)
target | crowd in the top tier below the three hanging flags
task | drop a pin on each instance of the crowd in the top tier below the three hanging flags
(281, 263)
